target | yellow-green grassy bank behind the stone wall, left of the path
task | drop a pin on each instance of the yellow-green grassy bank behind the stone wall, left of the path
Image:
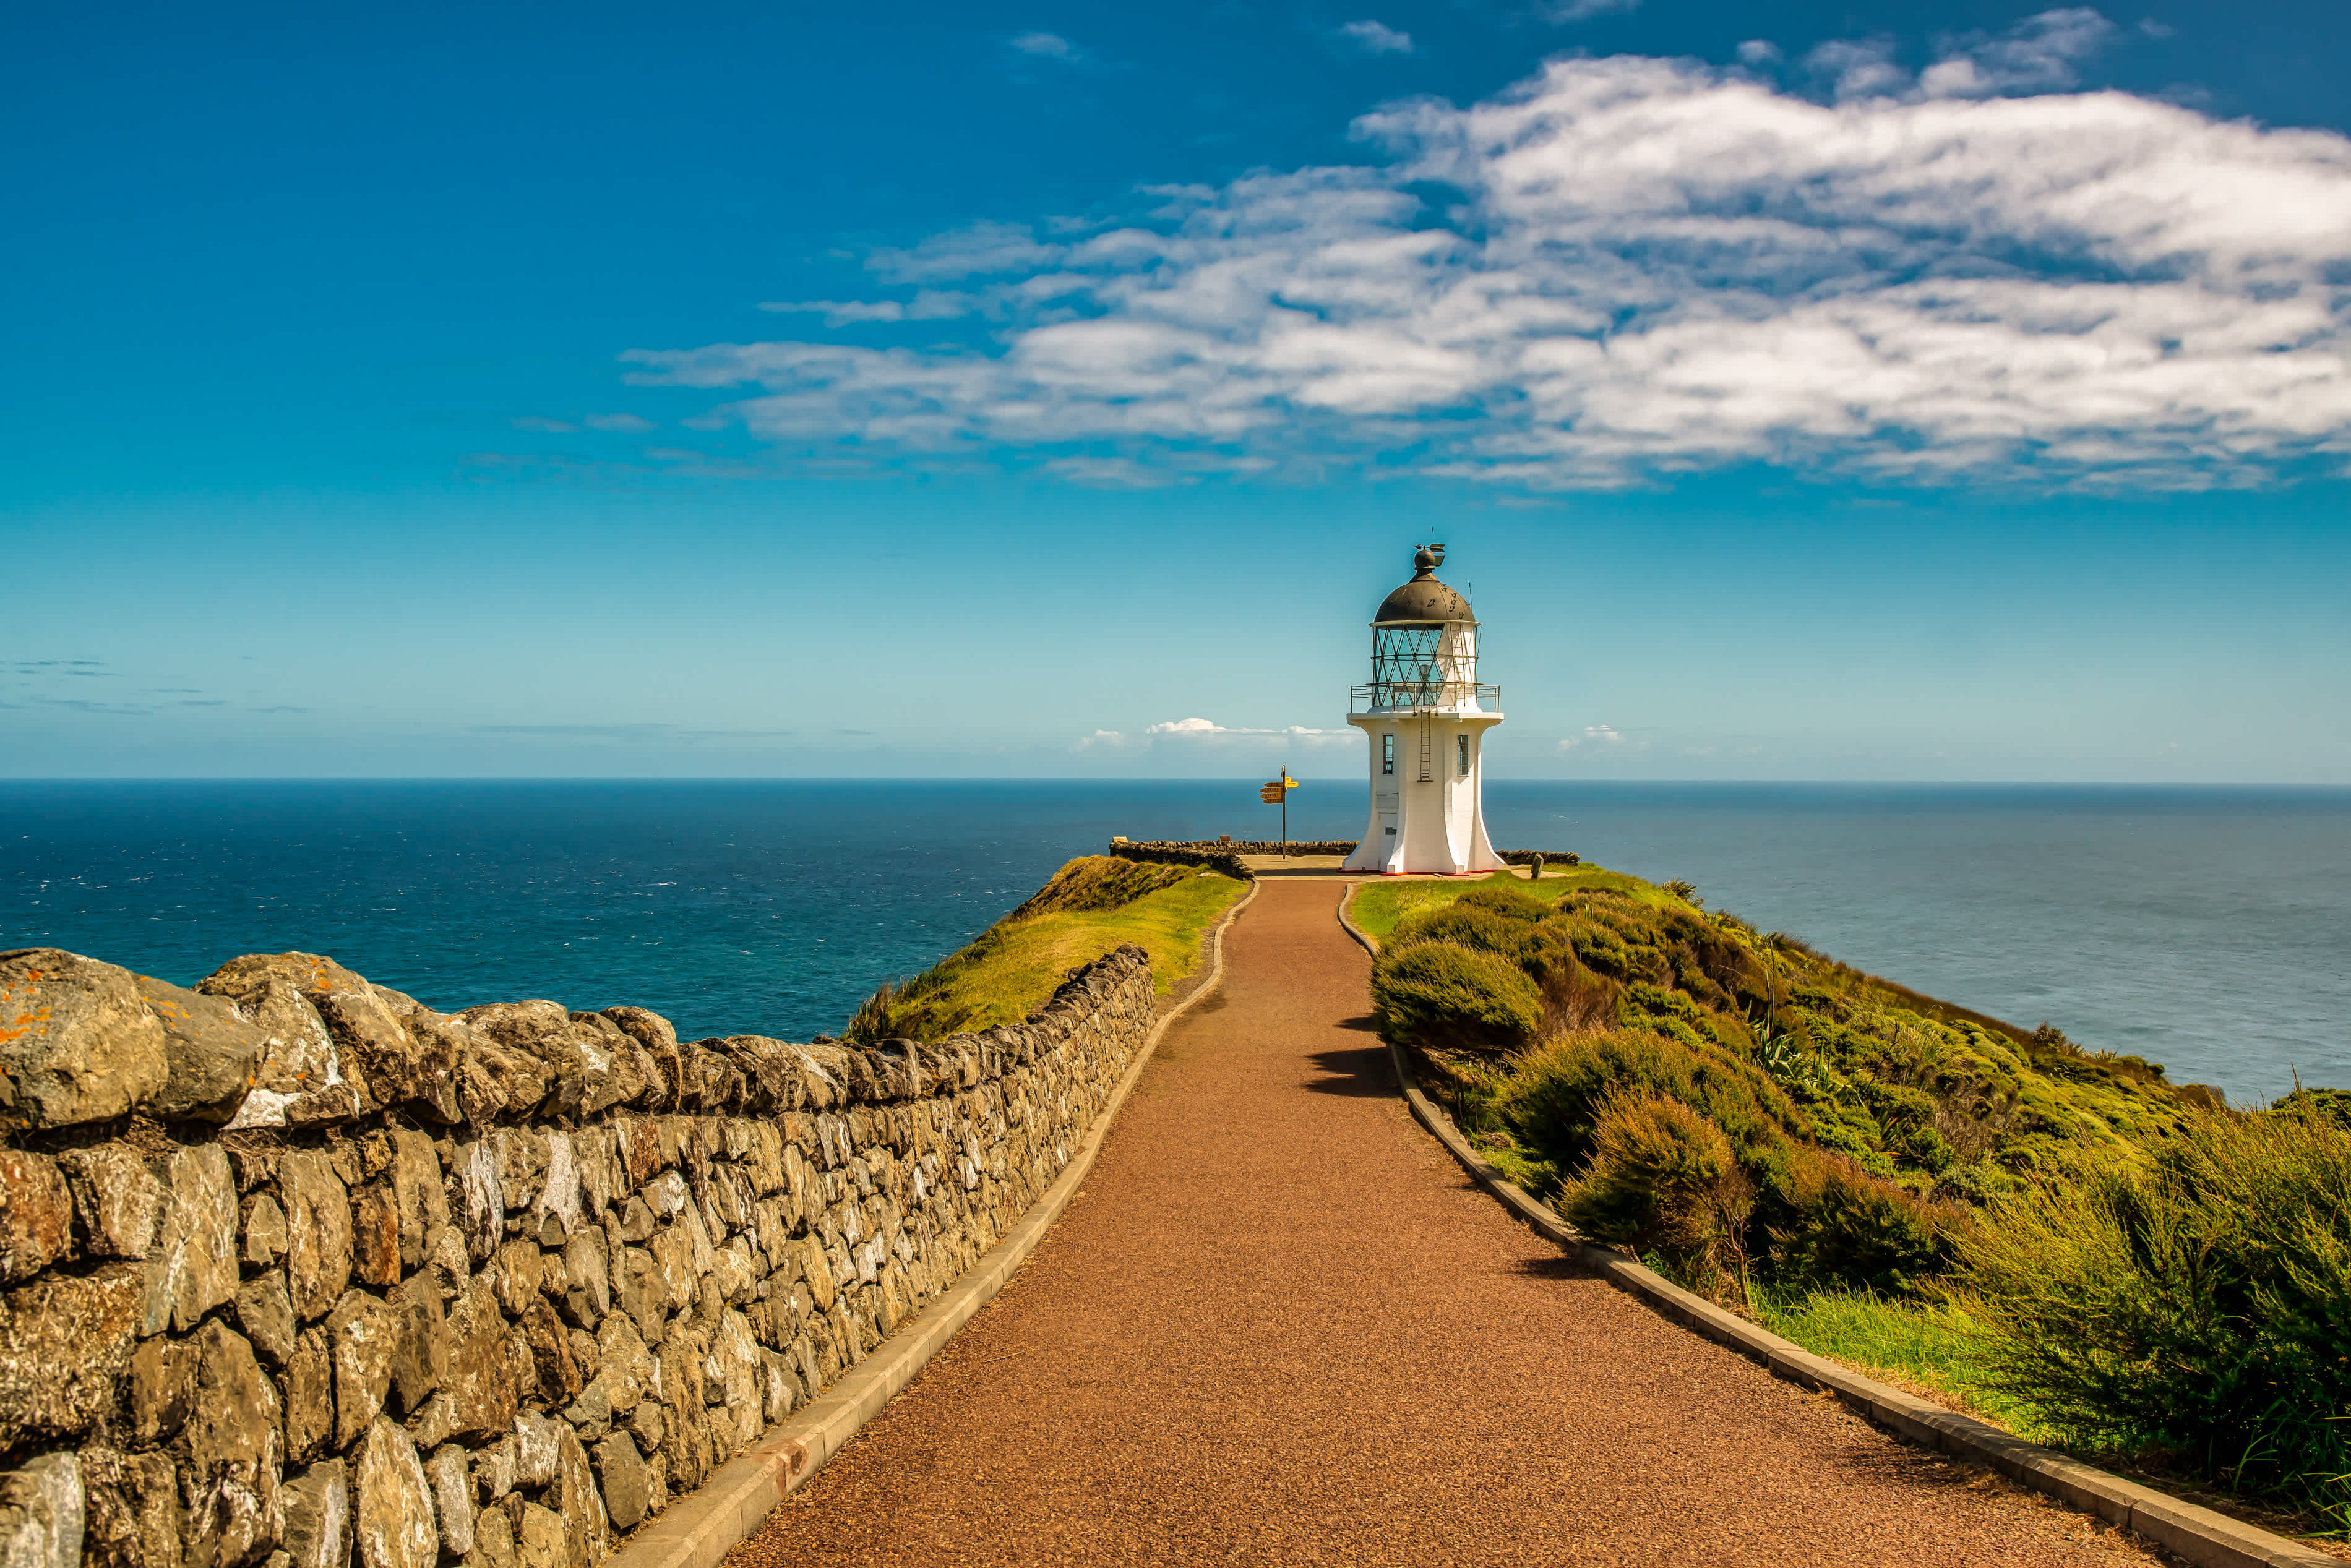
(1085, 911)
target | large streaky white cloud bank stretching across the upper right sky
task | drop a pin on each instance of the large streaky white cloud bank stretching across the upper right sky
(1654, 267)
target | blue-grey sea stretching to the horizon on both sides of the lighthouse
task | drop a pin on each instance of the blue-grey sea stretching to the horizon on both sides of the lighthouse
(2209, 930)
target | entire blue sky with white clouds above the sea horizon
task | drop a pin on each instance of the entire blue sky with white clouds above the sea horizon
(1816, 391)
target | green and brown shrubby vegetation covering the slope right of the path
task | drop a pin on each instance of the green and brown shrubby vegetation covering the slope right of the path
(2054, 1238)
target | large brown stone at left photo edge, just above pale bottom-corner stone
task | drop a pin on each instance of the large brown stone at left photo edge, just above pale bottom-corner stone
(65, 1346)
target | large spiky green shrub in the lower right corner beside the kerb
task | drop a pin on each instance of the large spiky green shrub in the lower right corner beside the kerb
(2197, 1301)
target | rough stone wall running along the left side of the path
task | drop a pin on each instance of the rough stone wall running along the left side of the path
(297, 1271)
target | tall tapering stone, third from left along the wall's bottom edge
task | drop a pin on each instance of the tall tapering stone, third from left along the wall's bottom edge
(236, 1454)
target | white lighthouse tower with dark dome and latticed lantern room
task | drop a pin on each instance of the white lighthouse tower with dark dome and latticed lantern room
(1426, 718)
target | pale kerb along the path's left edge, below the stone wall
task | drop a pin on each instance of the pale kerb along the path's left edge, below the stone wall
(697, 1532)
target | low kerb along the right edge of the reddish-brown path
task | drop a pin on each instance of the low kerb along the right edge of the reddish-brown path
(2197, 1534)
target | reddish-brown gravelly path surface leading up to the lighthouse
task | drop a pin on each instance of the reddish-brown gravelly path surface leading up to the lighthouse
(1282, 1327)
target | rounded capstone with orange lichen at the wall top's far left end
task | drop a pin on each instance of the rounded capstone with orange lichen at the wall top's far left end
(76, 1040)
